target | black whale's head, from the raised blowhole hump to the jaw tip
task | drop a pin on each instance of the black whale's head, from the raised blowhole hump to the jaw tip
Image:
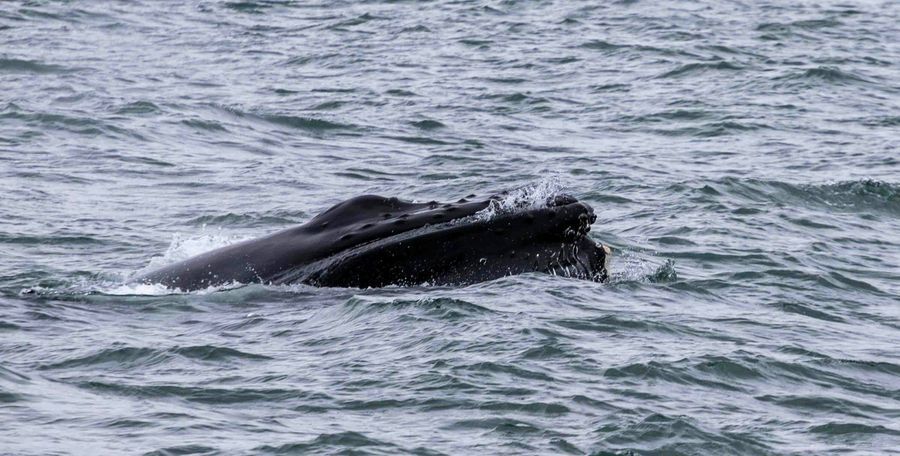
(374, 241)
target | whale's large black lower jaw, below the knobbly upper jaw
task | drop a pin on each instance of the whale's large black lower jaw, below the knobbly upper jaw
(552, 240)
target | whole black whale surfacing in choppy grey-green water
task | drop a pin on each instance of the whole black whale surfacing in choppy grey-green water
(373, 241)
